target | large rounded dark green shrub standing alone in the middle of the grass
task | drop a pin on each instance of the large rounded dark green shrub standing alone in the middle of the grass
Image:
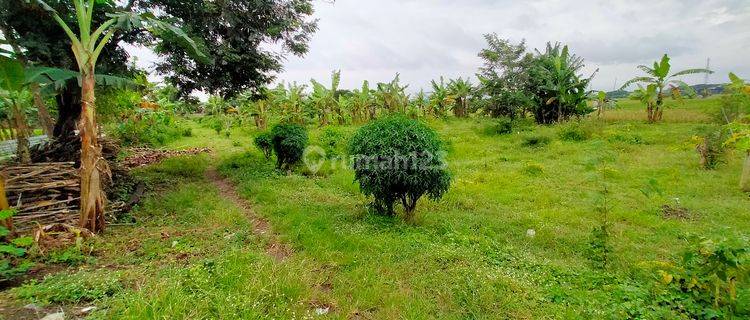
(397, 159)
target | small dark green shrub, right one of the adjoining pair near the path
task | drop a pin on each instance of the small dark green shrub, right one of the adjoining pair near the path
(289, 143)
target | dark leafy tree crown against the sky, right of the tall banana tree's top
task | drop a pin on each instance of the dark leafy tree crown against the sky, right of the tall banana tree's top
(236, 34)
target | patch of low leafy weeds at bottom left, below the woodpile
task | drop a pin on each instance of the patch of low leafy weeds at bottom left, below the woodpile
(71, 288)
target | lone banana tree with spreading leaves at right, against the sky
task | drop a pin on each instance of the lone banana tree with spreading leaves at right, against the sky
(659, 76)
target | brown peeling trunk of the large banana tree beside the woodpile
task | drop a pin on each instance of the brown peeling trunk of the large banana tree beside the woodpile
(93, 165)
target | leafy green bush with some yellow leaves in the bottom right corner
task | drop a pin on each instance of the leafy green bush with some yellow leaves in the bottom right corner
(704, 285)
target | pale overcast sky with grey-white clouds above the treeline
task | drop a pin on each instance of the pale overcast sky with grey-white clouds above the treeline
(424, 39)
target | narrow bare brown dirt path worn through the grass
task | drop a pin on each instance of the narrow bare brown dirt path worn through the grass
(275, 248)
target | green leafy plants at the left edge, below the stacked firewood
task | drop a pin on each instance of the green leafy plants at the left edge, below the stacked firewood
(12, 251)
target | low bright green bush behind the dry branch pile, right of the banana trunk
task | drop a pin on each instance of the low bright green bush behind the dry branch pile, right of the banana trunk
(149, 128)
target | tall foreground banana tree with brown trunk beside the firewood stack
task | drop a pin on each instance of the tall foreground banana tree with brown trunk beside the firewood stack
(87, 45)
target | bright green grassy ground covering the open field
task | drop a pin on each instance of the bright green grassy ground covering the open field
(192, 253)
